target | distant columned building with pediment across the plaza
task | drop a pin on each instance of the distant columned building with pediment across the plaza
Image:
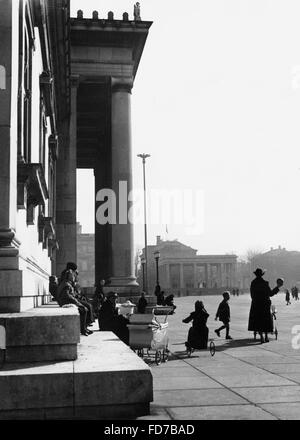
(182, 270)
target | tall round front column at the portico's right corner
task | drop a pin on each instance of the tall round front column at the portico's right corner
(122, 231)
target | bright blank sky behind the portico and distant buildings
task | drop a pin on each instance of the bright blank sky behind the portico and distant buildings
(216, 103)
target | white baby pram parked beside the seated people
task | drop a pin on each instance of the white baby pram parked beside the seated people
(147, 332)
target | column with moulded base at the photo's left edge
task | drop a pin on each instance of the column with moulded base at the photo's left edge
(10, 281)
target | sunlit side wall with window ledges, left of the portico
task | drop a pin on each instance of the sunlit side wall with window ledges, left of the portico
(34, 114)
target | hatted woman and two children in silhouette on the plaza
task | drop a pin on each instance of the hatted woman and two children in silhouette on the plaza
(260, 316)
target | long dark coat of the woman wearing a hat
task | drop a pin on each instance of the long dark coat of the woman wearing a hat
(260, 317)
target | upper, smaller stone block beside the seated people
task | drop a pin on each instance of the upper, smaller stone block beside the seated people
(43, 334)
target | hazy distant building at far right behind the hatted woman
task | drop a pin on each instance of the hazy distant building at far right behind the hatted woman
(279, 263)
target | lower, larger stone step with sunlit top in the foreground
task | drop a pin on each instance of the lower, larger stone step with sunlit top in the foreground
(107, 381)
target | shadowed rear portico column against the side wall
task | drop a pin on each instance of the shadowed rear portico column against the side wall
(66, 188)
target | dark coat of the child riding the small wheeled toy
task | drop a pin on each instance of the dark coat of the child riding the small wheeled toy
(198, 333)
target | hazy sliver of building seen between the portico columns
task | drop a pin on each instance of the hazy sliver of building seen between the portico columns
(85, 257)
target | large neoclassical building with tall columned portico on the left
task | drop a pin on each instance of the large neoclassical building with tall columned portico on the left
(65, 91)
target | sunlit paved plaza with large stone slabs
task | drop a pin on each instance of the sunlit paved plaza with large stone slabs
(245, 380)
